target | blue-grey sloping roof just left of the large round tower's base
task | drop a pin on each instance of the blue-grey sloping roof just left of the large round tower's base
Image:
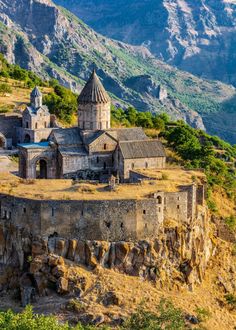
(67, 136)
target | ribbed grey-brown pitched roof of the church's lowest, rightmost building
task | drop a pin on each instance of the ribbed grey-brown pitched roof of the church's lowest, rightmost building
(142, 149)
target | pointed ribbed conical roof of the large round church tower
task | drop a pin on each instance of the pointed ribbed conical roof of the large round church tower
(93, 91)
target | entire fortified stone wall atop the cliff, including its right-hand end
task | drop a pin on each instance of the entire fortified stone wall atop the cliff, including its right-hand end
(103, 220)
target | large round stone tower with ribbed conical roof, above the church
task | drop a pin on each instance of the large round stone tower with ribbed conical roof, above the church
(94, 106)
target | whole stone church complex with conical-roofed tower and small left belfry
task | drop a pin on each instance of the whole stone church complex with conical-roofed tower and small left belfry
(92, 150)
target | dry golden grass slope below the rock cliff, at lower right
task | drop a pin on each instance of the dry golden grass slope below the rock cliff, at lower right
(132, 291)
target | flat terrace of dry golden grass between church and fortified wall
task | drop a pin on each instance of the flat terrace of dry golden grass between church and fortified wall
(65, 189)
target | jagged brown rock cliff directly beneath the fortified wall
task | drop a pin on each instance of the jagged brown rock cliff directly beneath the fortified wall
(177, 258)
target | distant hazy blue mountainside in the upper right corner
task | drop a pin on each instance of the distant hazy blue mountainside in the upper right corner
(197, 36)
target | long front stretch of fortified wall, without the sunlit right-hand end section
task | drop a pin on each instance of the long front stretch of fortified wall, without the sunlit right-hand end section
(110, 220)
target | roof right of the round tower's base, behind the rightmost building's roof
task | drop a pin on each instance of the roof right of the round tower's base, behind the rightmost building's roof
(128, 134)
